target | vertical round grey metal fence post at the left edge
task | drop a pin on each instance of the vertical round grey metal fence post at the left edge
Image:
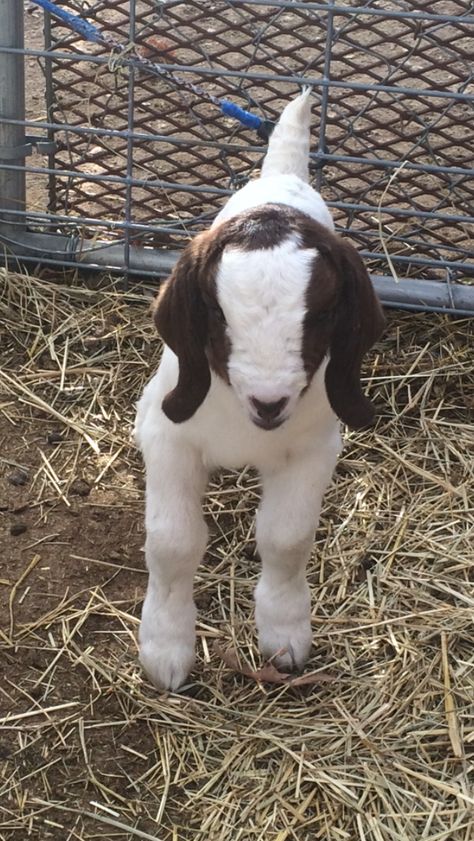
(12, 106)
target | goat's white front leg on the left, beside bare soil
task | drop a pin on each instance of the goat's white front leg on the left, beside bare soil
(175, 543)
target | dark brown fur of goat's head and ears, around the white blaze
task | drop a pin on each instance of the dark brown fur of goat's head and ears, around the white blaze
(343, 316)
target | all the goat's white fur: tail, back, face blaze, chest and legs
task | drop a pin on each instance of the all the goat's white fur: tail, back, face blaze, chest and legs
(262, 294)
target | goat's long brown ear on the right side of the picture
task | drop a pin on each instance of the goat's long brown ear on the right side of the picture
(359, 323)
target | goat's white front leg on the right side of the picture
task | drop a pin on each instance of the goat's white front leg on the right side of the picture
(286, 523)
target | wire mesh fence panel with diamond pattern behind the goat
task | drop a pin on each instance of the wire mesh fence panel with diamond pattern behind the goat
(138, 158)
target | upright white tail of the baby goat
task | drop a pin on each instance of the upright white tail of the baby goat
(288, 147)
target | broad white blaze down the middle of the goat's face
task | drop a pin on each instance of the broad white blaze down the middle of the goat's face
(266, 327)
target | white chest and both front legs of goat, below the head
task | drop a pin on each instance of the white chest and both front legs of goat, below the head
(296, 462)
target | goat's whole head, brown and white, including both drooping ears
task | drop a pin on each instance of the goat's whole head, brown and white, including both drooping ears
(261, 299)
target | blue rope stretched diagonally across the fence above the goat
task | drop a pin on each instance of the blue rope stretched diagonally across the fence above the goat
(92, 33)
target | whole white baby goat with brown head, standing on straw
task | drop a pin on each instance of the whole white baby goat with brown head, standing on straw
(266, 319)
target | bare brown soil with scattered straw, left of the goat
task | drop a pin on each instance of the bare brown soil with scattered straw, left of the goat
(63, 554)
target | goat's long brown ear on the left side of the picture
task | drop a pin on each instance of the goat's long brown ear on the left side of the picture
(181, 318)
